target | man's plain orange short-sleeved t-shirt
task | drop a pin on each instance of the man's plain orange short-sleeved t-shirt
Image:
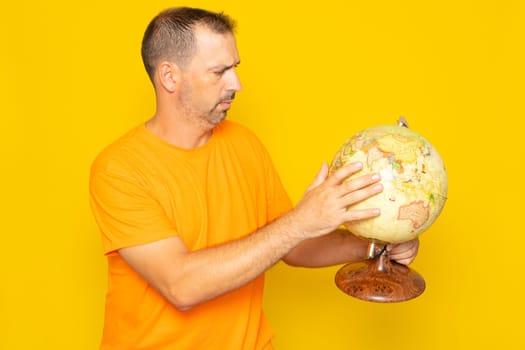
(144, 189)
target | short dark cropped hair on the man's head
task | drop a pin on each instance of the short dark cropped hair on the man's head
(170, 35)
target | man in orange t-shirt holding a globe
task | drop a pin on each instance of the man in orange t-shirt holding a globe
(192, 211)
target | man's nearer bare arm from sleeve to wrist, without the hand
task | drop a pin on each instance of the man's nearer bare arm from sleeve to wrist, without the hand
(189, 278)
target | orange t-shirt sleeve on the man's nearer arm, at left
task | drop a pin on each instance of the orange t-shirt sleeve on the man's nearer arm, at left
(126, 213)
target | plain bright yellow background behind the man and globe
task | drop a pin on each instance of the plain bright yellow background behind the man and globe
(313, 74)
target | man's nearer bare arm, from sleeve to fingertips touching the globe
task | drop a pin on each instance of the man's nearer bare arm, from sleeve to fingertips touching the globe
(189, 278)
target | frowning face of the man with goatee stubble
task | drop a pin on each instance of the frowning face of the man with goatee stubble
(210, 82)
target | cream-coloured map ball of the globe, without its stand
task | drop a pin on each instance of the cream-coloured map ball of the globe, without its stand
(413, 176)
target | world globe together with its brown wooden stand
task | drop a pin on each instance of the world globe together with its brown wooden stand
(414, 192)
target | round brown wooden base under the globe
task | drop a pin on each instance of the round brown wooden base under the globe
(380, 280)
